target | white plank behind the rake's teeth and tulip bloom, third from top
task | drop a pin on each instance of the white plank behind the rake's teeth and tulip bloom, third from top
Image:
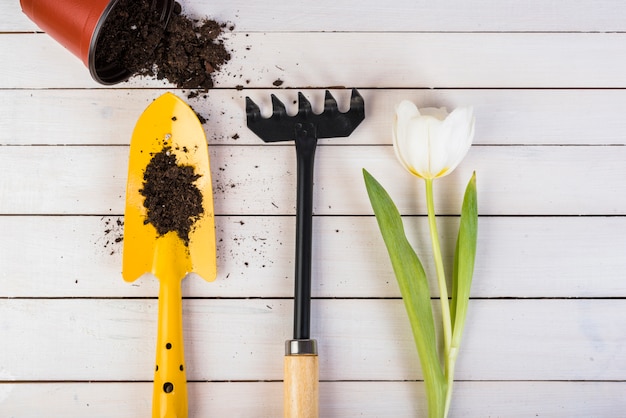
(504, 116)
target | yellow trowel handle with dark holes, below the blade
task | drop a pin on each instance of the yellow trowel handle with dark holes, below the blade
(169, 398)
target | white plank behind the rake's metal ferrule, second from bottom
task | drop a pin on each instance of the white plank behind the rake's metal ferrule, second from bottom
(359, 340)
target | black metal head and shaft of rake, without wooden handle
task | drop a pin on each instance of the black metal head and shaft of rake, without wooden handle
(304, 128)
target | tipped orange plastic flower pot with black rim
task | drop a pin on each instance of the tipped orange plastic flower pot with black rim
(76, 24)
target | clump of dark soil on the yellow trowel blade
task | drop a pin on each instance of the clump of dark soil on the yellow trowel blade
(172, 200)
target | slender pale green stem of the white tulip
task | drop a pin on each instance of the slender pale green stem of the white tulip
(441, 275)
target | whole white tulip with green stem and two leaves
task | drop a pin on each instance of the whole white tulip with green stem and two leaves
(430, 143)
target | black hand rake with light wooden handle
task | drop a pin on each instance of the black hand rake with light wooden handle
(301, 360)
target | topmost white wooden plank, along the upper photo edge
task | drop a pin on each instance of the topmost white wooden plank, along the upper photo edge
(404, 16)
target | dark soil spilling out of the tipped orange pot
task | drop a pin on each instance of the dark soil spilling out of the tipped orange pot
(187, 53)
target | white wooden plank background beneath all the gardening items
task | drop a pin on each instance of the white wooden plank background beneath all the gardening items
(545, 332)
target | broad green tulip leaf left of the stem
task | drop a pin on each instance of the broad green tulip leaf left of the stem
(415, 291)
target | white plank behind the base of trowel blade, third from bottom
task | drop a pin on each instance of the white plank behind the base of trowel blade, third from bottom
(524, 257)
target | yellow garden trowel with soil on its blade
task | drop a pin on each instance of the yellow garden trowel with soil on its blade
(168, 124)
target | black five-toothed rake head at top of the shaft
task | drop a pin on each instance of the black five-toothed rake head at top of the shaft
(331, 123)
